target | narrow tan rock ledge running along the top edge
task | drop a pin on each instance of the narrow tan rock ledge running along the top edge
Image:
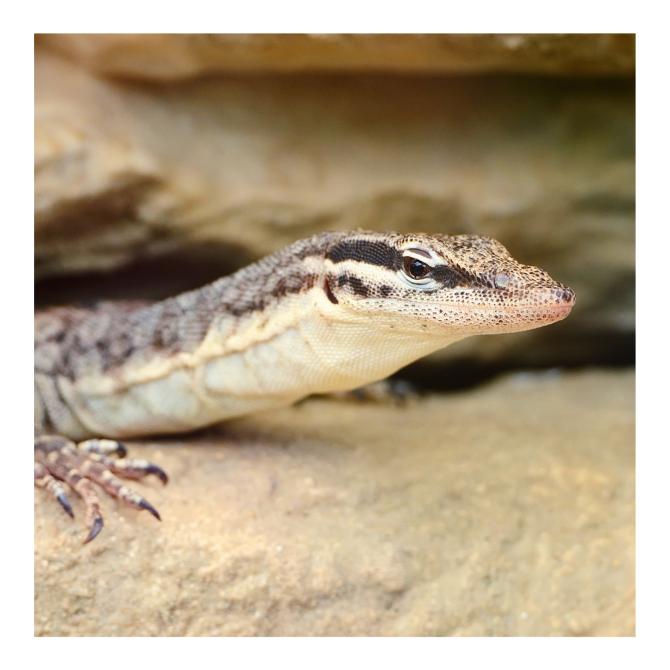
(167, 57)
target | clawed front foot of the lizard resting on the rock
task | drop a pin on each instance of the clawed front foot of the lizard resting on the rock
(60, 464)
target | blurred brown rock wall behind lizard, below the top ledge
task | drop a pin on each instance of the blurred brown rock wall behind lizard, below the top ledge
(228, 169)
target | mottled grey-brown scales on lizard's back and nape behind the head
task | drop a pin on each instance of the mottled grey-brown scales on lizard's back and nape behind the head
(75, 341)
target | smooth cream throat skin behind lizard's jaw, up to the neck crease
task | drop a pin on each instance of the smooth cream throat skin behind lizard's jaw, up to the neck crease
(305, 344)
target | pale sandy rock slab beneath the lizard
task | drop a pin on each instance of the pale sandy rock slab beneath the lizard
(508, 510)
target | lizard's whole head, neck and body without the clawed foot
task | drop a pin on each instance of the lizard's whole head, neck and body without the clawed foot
(333, 312)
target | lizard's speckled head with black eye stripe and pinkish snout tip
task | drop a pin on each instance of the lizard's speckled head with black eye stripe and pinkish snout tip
(438, 284)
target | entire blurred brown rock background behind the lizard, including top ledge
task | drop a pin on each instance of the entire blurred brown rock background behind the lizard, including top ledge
(164, 161)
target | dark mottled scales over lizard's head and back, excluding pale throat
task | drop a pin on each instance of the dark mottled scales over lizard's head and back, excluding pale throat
(360, 272)
